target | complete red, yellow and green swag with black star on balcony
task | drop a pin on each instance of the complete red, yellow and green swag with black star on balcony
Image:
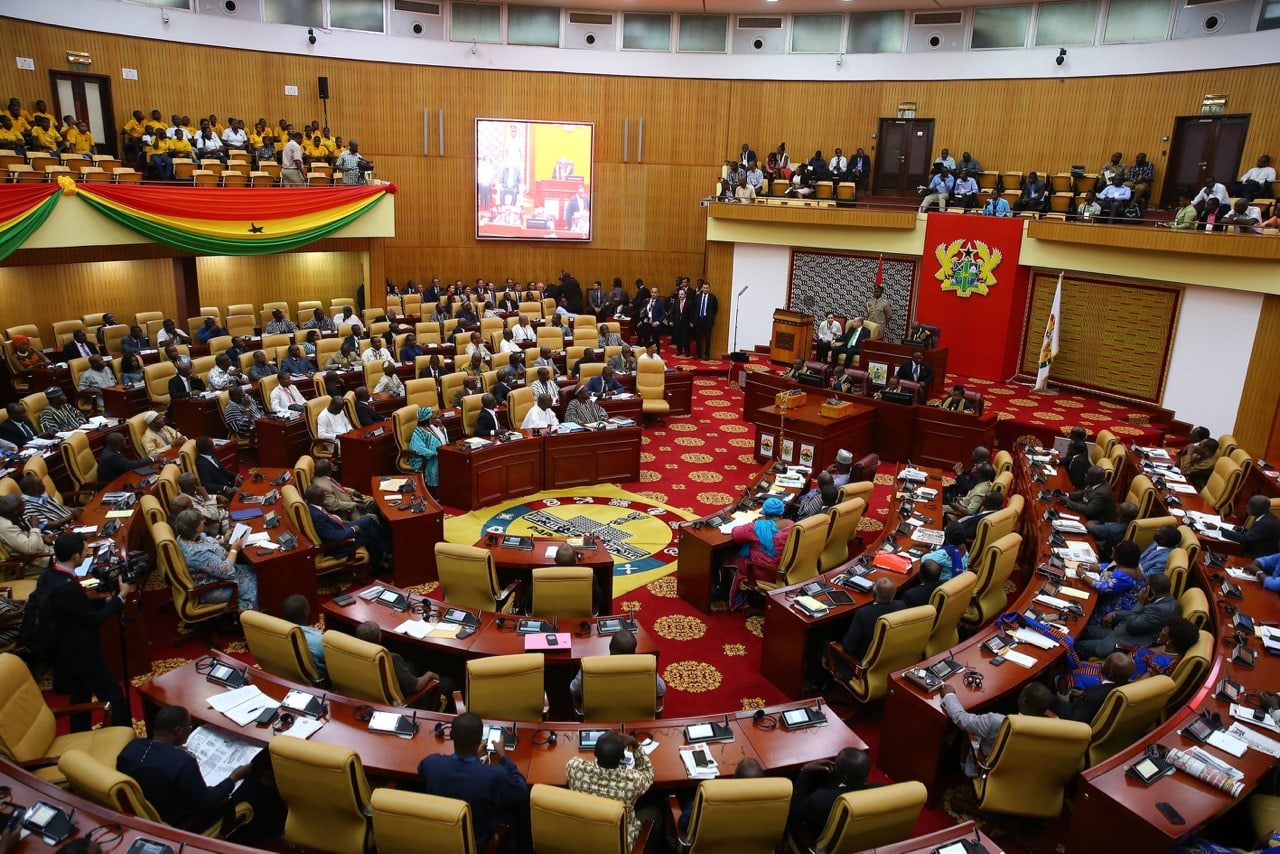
(228, 221)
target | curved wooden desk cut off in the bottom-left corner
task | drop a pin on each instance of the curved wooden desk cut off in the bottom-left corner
(26, 789)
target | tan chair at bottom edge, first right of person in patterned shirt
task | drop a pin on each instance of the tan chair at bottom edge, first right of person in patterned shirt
(740, 816)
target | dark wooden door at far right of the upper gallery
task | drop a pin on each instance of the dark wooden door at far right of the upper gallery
(1204, 147)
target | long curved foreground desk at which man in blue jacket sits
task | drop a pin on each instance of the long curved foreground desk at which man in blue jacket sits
(391, 757)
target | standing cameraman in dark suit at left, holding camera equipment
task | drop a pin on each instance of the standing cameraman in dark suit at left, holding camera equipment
(80, 670)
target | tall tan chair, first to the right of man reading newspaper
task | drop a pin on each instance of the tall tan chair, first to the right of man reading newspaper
(327, 796)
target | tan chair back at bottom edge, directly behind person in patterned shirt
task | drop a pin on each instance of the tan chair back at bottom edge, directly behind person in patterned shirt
(575, 823)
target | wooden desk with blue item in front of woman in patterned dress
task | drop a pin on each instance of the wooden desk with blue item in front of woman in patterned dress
(281, 573)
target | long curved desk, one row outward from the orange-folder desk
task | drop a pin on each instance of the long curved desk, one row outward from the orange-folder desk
(918, 718)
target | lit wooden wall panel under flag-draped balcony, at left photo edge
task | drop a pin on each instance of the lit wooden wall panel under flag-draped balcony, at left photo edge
(44, 295)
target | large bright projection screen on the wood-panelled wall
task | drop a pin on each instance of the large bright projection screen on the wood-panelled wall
(534, 180)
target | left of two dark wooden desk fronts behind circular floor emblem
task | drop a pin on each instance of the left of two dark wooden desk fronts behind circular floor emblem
(492, 474)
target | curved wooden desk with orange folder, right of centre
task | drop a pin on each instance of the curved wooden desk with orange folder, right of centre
(797, 640)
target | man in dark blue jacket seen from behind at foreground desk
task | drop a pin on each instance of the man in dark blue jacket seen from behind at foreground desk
(482, 777)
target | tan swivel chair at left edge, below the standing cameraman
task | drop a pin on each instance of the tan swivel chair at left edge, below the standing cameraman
(29, 730)
